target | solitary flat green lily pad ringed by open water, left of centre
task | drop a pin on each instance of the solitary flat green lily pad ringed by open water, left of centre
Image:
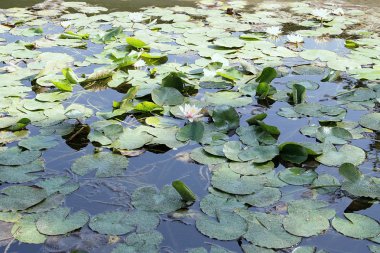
(105, 164)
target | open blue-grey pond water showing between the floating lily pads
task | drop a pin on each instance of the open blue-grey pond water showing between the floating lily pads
(97, 196)
